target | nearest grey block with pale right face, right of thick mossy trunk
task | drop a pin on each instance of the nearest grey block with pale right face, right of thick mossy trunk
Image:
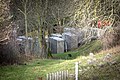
(56, 44)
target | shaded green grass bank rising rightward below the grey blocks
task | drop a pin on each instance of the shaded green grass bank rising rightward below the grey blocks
(94, 46)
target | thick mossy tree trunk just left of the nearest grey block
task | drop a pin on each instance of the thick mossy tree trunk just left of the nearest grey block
(40, 11)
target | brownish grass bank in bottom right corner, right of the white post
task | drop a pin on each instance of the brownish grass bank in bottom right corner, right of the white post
(108, 71)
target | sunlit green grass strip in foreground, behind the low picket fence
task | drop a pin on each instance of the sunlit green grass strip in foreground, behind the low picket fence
(37, 68)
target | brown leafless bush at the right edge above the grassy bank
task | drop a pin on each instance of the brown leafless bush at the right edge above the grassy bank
(112, 37)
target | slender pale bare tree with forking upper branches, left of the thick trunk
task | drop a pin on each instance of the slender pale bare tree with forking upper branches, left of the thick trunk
(26, 9)
